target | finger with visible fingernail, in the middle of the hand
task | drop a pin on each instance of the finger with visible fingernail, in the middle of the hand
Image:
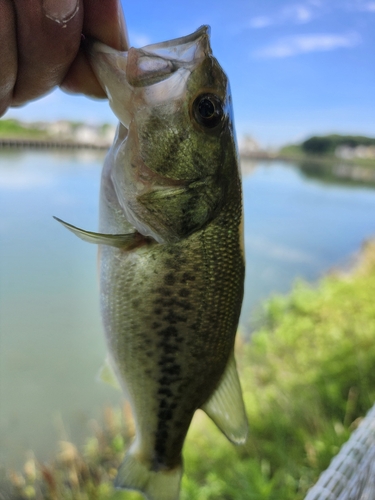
(48, 38)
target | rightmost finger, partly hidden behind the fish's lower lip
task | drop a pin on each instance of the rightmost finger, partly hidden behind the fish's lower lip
(105, 22)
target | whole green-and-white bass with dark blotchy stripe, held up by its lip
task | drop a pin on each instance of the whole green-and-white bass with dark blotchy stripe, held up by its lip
(170, 250)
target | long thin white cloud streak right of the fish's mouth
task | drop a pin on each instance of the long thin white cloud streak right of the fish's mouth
(302, 44)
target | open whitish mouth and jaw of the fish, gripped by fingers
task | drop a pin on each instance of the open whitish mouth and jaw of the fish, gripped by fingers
(123, 75)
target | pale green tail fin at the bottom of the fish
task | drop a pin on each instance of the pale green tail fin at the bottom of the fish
(155, 485)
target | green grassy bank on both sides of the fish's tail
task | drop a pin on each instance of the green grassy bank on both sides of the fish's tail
(308, 377)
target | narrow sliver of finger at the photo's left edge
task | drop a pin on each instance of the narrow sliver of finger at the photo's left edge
(8, 54)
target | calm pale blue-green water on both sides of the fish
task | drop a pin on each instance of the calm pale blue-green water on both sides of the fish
(51, 341)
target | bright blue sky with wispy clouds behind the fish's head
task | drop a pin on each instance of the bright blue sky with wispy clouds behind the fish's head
(296, 68)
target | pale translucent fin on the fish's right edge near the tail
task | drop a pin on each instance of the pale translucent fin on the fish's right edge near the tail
(226, 407)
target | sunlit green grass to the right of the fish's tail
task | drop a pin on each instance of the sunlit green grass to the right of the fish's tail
(308, 375)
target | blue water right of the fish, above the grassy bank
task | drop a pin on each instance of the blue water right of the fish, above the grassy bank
(297, 227)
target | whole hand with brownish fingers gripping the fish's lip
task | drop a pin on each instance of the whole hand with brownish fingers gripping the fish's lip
(40, 46)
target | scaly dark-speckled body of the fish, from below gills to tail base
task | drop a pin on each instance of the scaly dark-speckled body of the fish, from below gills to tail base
(170, 314)
